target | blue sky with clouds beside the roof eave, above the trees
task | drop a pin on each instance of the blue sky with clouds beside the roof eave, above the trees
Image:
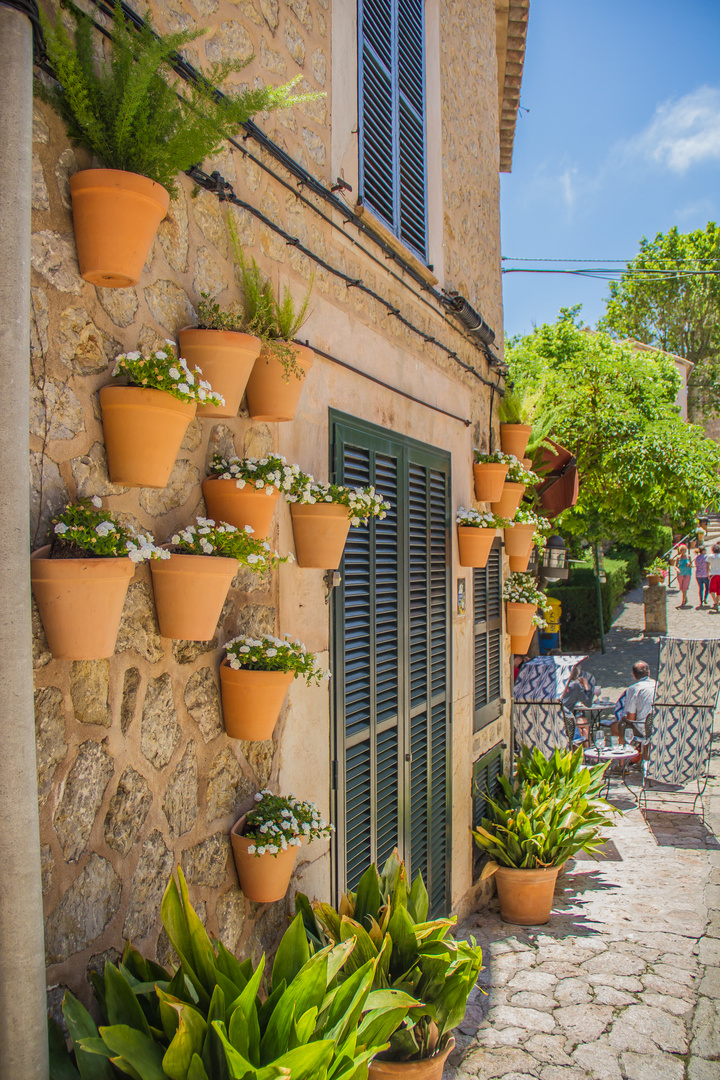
(622, 140)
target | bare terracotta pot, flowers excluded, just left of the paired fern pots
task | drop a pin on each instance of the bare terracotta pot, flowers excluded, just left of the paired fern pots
(144, 430)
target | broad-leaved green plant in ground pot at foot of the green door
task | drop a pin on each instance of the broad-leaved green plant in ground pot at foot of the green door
(412, 954)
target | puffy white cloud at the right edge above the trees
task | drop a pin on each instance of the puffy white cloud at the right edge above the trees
(685, 132)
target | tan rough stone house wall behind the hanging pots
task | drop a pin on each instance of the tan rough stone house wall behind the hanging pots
(135, 772)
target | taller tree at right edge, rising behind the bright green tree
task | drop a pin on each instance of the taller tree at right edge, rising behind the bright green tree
(675, 313)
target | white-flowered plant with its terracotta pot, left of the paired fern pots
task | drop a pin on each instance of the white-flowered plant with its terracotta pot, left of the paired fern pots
(146, 420)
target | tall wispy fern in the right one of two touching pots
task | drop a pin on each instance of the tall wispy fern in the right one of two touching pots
(275, 321)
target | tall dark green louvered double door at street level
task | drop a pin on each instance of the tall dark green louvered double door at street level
(391, 663)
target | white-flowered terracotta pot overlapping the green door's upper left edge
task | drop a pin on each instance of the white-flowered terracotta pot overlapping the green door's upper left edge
(323, 515)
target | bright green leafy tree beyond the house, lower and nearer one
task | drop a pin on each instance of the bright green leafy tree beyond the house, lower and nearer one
(641, 465)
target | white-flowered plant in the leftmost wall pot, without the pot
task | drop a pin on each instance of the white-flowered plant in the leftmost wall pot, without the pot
(86, 530)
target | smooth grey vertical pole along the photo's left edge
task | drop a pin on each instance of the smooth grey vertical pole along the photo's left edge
(23, 1010)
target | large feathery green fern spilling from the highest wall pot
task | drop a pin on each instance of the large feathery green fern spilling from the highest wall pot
(127, 114)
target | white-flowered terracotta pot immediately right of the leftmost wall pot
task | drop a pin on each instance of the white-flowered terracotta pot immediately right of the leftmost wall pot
(193, 586)
